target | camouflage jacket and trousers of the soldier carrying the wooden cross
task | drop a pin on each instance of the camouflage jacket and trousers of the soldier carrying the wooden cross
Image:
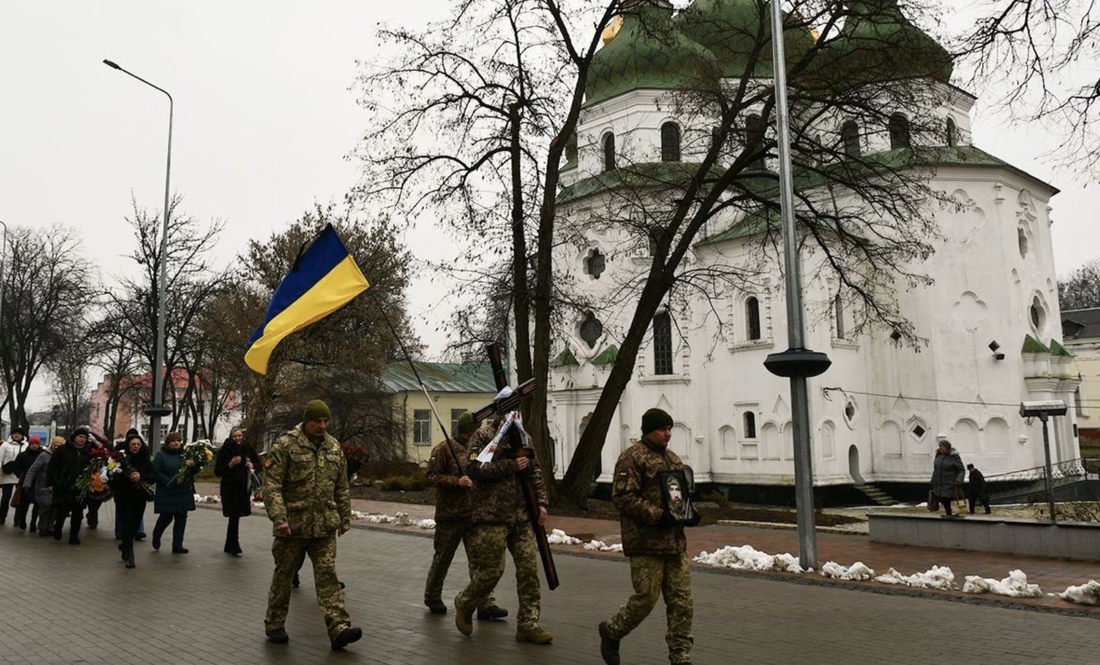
(501, 523)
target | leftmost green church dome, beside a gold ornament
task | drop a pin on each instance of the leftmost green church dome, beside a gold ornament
(650, 52)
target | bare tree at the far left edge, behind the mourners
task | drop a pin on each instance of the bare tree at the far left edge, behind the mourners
(49, 293)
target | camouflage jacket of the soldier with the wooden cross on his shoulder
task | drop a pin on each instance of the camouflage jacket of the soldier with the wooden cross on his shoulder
(498, 497)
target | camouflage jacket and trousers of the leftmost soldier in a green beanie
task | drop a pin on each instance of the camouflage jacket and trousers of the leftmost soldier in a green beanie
(306, 487)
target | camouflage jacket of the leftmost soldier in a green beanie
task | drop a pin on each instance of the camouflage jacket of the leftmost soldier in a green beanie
(306, 485)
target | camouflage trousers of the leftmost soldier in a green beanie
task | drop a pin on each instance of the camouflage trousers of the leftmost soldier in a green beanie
(290, 553)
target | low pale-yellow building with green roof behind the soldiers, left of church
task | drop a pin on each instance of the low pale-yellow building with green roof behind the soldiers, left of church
(455, 387)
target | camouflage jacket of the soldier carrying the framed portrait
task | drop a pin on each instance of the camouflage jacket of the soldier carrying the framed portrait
(637, 495)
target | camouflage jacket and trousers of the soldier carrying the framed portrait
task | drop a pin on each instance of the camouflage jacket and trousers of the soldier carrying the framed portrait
(658, 555)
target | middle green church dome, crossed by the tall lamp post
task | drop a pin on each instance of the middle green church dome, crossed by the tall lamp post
(739, 34)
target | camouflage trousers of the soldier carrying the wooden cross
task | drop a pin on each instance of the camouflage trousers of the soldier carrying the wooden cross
(486, 549)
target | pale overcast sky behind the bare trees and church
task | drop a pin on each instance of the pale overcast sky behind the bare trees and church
(263, 119)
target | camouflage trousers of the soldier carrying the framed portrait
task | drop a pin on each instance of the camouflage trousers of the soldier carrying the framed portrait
(654, 577)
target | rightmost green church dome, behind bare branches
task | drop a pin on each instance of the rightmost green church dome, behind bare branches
(879, 45)
